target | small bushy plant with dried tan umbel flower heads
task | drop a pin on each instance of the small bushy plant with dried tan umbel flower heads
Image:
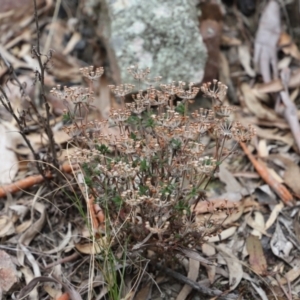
(149, 173)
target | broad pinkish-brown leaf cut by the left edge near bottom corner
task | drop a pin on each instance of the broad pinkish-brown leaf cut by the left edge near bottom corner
(8, 272)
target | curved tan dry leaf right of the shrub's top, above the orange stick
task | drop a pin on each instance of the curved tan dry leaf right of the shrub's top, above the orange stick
(255, 106)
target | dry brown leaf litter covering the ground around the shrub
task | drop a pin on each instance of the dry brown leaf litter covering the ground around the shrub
(266, 234)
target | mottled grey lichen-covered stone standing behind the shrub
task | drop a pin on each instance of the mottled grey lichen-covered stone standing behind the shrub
(160, 34)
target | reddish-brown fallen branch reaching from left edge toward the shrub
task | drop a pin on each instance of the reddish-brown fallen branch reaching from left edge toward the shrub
(30, 181)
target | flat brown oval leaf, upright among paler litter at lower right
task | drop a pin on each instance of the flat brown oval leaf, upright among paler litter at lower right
(257, 258)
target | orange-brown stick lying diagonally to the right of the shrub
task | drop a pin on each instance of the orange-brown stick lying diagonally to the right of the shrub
(262, 170)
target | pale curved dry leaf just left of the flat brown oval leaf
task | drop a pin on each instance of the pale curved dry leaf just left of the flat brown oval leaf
(234, 266)
